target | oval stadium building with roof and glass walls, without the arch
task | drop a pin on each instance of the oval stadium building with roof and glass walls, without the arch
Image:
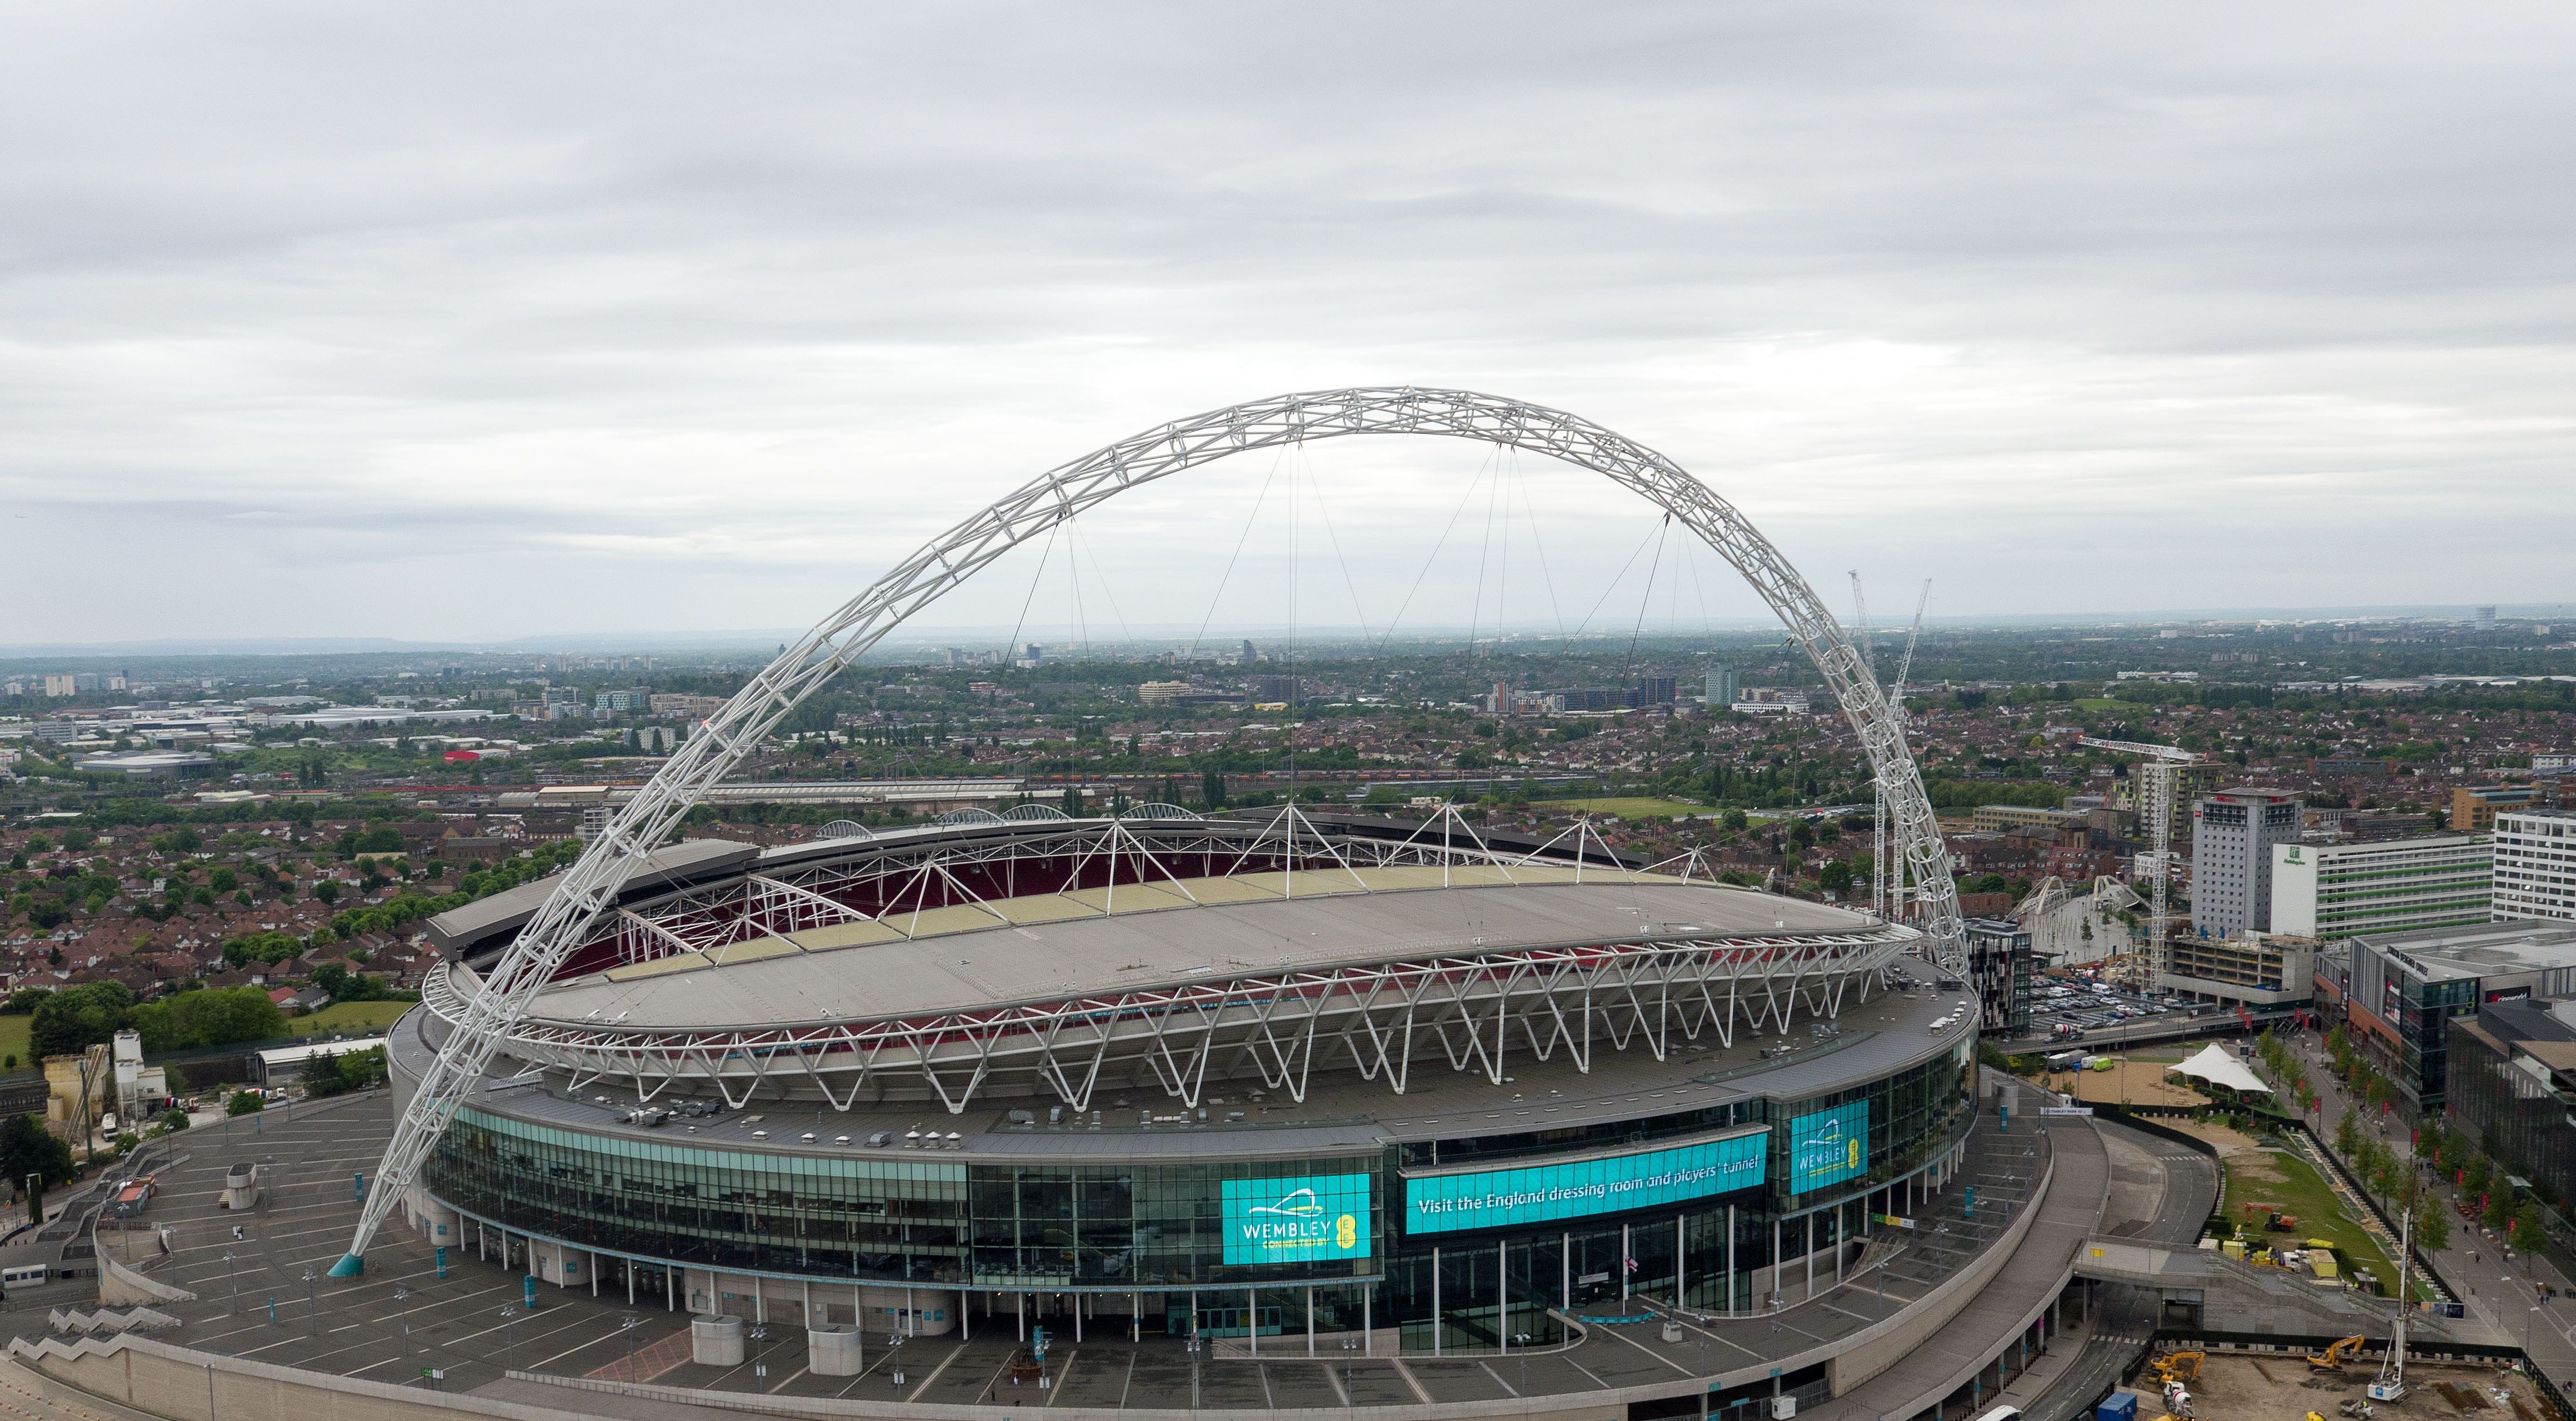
(1197, 1077)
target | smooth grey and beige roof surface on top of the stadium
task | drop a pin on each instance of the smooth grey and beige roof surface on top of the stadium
(1068, 946)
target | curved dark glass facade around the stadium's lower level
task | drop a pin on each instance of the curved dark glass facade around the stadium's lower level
(1163, 1229)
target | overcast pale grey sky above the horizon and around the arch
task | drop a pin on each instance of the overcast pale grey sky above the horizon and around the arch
(501, 320)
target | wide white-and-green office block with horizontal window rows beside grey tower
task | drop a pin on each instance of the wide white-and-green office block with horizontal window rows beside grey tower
(2387, 887)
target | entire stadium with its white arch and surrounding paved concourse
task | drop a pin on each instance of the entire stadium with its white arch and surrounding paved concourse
(1160, 1113)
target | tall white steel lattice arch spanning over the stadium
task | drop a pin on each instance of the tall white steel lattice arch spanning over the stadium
(1050, 501)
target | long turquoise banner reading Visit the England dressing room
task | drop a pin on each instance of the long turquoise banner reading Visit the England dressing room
(1503, 1198)
